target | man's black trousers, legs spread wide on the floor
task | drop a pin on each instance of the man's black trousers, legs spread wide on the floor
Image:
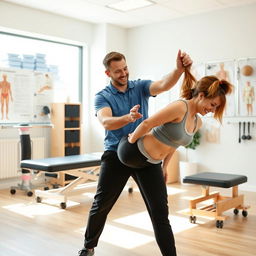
(112, 179)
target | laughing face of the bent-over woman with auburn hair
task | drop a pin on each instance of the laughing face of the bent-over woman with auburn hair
(206, 105)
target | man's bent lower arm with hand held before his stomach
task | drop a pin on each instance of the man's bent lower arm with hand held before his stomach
(111, 122)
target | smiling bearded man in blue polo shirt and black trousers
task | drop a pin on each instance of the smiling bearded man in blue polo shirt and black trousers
(117, 108)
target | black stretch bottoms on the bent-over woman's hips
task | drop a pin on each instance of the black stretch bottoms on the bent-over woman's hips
(130, 155)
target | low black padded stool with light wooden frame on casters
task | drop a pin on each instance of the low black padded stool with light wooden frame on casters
(220, 203)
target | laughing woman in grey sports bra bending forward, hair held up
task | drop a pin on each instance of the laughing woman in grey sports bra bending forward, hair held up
(157, 137)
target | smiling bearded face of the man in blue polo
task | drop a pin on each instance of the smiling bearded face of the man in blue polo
(118, 72)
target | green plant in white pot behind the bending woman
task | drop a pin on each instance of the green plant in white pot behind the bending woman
(187, 167)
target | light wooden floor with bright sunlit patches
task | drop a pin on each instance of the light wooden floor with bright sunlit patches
(28, 228)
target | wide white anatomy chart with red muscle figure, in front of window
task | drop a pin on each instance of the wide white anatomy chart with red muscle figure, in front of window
(25, 96)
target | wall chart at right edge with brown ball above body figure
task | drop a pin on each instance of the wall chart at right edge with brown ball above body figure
(246, 87)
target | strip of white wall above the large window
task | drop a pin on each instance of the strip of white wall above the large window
(43, 23)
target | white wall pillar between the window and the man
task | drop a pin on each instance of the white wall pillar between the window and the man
(106, 38)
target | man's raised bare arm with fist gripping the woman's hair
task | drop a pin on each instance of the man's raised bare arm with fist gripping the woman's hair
(183, 61)
